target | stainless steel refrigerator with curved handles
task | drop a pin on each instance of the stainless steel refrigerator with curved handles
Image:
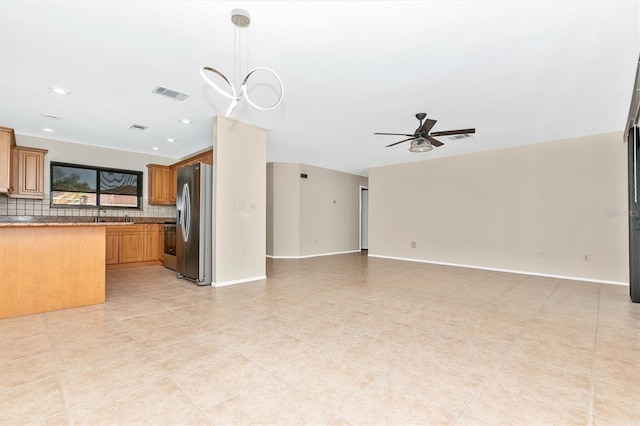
(194, 257)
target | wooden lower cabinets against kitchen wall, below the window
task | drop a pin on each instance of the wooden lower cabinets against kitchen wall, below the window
(132, 245)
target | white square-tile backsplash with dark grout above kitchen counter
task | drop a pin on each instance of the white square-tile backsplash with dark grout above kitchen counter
(27, 207)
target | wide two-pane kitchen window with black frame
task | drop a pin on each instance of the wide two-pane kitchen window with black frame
(76, 185)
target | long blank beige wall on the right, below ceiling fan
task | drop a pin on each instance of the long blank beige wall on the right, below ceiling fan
(538, 208)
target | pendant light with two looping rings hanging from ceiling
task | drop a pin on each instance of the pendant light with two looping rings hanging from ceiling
(241, 19)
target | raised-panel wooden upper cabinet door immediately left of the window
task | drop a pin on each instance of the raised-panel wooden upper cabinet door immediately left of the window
(28, 169)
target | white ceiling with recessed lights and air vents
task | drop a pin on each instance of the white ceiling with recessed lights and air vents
(520, 72)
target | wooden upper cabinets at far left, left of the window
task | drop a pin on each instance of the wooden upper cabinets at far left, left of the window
(21, 168)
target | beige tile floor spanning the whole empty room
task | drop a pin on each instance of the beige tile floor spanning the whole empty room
(333, 340)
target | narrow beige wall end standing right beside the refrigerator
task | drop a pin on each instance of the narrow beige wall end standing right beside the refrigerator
(239, 217)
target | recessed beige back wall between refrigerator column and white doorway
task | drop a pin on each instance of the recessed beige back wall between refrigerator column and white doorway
(306, 221)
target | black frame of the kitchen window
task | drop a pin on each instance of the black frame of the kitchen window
(97, 170)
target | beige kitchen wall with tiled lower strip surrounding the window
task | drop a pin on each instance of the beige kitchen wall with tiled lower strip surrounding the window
(68, 152)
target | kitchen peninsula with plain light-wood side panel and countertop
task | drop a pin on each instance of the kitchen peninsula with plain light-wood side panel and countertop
(47, 266)
